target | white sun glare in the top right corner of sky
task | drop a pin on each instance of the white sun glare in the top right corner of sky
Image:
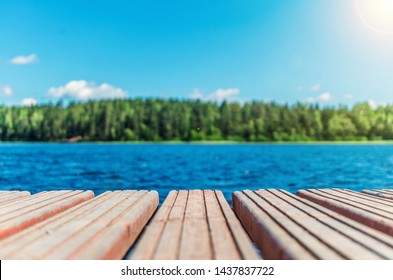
(377, 14)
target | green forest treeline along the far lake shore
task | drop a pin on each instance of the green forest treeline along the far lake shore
(192, 120)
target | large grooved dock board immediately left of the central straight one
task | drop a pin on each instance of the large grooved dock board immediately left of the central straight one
(104, 227)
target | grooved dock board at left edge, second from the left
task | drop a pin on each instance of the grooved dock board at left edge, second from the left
(19, 216)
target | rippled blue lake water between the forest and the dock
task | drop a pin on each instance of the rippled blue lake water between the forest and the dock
(163, 167)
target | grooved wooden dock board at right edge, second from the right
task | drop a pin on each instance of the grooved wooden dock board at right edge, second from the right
(369, 210)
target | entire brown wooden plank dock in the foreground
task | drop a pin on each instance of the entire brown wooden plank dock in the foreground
(195, 224)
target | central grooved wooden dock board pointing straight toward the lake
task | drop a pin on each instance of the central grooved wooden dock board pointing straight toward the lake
(194, 225)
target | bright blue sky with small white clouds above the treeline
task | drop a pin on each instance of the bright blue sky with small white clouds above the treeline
(331, 52)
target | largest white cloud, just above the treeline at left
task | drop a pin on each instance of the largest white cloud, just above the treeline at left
(83, 90)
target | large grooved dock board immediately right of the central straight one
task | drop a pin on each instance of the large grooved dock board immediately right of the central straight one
(285, 226)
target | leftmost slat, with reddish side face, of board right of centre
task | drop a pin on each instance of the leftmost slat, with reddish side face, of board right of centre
(268, 234)
